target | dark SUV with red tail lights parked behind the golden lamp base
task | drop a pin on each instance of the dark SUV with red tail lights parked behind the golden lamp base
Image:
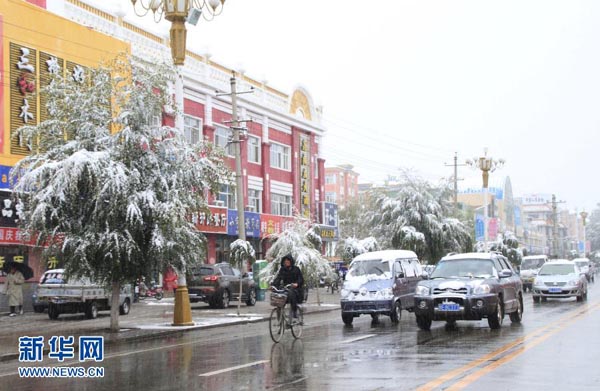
(218, 284)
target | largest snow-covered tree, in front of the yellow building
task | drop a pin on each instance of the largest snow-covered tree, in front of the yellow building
(117, 189)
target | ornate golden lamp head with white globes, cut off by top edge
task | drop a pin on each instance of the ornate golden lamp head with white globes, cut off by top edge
(178, 12)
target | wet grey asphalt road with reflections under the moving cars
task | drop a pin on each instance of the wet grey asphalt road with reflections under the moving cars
(557, 347)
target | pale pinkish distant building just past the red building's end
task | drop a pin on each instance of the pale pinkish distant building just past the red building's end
(341, 184)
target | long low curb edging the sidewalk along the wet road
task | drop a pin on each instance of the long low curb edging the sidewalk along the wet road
(154, 334)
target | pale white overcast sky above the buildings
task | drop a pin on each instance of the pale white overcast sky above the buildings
(408, 83)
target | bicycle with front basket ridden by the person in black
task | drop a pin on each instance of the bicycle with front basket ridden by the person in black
(281, 316)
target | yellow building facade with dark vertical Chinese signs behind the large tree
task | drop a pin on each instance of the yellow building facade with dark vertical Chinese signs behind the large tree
(35, 44)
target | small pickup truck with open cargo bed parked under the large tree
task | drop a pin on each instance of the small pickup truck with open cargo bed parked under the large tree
(78, 295)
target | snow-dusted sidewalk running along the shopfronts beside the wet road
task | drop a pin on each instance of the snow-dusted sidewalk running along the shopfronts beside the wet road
(147, 319)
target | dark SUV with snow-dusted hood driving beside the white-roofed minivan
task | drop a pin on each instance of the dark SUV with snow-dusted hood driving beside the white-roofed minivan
(470, 286)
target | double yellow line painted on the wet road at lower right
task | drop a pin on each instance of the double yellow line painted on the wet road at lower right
(473, 364)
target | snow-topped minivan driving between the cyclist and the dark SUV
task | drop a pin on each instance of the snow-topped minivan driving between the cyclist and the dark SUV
(380, 283)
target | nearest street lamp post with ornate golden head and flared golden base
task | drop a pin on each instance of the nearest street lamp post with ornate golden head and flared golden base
(178, 12)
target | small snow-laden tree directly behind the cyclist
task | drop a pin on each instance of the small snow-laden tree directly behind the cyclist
(298, 241)
